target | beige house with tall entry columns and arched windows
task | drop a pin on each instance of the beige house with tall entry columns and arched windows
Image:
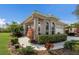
(43, 24)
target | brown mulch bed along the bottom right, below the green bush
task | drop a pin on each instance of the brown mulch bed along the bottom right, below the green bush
(63, 52)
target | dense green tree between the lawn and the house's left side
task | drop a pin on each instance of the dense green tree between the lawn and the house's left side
(16, 29)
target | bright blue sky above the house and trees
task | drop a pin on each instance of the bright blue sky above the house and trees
(20, 12)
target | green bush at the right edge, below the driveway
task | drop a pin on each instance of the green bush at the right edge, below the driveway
(72, 45)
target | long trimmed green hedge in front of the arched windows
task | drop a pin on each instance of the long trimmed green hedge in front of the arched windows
(52, 38)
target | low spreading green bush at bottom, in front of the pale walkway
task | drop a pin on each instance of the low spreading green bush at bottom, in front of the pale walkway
(27, 51)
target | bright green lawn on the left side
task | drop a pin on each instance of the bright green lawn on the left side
(4, 38)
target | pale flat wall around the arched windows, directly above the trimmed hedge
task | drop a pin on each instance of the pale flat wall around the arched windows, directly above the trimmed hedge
(58, 28)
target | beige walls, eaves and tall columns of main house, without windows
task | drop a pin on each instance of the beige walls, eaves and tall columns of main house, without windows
(58, 28)
